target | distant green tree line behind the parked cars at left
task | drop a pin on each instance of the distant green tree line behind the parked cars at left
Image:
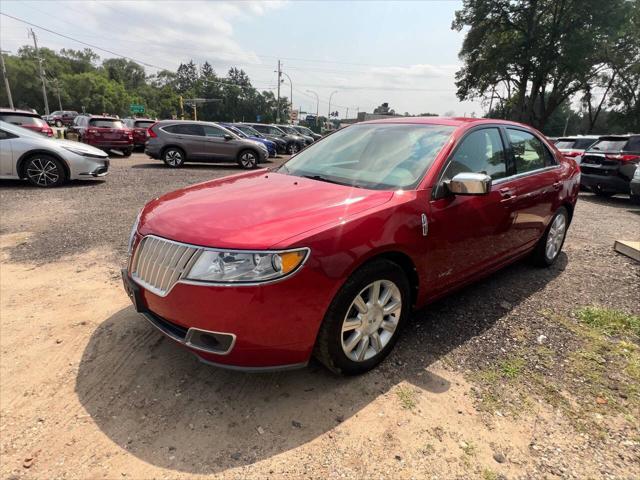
(79, 80)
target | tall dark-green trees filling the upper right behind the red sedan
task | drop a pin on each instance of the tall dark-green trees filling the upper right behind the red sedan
(535, 60)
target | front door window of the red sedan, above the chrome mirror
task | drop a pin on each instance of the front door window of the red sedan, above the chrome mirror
(480, 152)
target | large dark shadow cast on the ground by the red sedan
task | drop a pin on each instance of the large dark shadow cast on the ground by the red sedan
(155, 400)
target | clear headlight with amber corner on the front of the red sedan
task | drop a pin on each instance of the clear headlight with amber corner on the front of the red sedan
(221, 266)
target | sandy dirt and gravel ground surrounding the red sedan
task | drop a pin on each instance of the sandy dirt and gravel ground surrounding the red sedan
(510, 378)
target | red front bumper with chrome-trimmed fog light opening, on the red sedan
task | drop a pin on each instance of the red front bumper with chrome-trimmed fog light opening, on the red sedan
(273, 326)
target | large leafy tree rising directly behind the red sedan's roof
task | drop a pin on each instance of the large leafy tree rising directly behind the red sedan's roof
(535, 54)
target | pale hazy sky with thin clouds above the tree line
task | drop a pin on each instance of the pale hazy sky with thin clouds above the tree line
(403, 53)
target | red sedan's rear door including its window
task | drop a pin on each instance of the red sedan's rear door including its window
(532, 192)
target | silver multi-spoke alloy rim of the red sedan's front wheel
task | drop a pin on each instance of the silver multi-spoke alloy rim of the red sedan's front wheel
(371, 320)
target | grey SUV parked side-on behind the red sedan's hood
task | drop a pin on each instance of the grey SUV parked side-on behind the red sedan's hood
(179, 141)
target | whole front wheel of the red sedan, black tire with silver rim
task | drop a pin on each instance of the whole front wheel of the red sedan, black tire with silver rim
(353, 351)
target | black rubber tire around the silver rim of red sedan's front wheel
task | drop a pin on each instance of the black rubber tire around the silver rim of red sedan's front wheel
(332, 323)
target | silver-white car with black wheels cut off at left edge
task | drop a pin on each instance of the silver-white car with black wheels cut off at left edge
(47, 162)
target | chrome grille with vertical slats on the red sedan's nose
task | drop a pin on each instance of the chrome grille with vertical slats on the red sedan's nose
(159, 263)
